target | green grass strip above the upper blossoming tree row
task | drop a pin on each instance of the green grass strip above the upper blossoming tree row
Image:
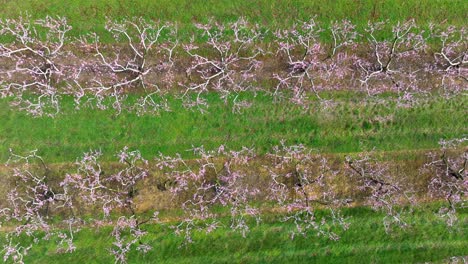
(87, 15)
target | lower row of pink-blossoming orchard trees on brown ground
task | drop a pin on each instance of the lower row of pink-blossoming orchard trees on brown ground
(217, 189)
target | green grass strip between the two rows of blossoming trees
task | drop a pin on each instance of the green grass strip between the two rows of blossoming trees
(351, 126)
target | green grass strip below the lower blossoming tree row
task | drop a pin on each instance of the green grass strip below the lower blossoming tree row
(365, 242)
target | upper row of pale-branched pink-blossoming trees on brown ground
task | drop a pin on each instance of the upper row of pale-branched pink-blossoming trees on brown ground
(39, 69)
